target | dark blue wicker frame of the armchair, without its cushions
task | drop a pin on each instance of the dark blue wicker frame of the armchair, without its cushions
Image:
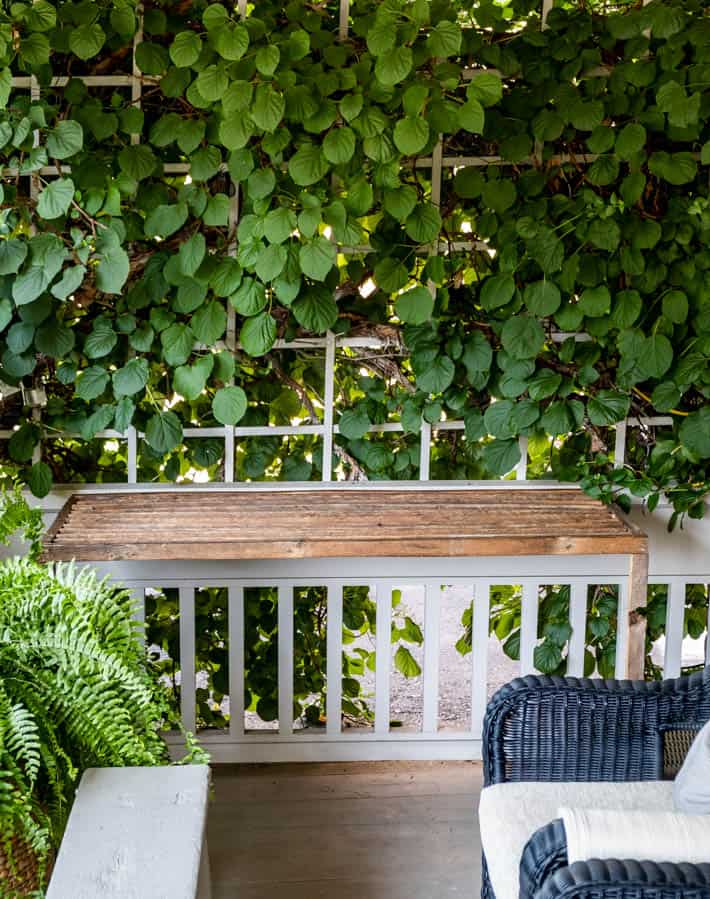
(569, 729)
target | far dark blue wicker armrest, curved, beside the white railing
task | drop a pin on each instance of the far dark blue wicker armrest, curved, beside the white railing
(550, 728)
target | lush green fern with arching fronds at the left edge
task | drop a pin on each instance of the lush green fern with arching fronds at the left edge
(77, 690)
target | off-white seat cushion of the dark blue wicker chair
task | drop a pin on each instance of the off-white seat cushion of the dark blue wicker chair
(510, 813)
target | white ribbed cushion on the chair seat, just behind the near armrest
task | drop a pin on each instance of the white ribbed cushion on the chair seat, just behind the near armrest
(641, 835)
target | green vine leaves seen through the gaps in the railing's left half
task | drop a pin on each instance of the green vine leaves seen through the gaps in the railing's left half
(261, 651)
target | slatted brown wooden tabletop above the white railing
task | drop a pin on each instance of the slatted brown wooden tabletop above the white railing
(291, 524)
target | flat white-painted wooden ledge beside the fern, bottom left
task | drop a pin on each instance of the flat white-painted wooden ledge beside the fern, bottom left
(136, 833)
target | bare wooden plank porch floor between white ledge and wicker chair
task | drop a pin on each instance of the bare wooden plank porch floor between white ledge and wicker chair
(375, 830)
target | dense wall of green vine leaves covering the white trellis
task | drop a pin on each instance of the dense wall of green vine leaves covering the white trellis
(116, 280)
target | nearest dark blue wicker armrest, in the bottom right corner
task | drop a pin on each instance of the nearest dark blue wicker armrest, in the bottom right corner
(615, 879)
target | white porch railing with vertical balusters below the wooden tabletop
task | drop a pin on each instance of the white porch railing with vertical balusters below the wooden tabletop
(381, 741)
